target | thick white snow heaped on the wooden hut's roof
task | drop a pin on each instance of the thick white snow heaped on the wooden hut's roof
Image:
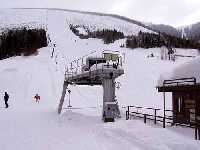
(187, 70)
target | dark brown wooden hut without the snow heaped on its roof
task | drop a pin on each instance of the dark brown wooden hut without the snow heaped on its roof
(185, 99)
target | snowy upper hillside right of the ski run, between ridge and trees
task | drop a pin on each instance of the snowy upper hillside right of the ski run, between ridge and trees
(102, 22)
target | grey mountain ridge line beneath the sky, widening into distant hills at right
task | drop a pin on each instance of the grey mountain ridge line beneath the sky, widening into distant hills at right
(191, 31)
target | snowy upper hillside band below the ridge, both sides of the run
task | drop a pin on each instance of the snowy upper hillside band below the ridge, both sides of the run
(15, 17)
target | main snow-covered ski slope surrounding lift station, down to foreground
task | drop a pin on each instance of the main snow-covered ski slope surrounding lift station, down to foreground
(27, 125)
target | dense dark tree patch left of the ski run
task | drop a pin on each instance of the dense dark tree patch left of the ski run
(20, 41)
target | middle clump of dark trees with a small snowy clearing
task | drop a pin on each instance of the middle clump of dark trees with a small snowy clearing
(108, 36)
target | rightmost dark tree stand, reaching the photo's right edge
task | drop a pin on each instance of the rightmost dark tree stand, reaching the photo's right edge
(150, 40)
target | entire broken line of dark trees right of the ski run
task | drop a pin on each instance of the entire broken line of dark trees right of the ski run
(143, 39)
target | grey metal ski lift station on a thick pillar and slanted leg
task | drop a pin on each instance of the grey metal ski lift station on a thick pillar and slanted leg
(97, 70)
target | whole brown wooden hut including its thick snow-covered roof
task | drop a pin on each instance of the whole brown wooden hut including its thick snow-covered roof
(184, 84)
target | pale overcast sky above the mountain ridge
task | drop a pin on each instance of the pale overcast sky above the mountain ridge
(172, 12)
